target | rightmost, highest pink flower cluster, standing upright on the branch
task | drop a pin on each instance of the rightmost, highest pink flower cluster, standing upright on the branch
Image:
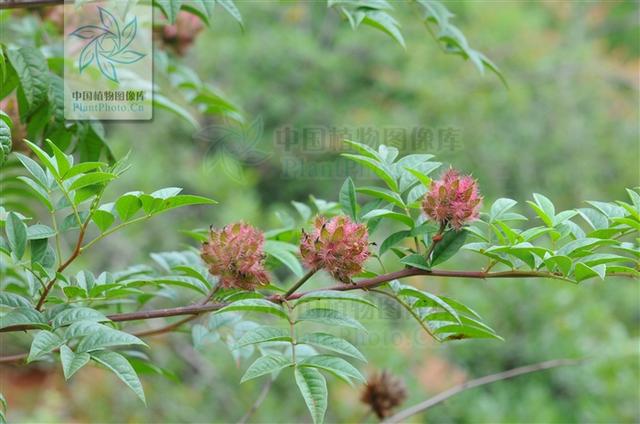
(453, 199)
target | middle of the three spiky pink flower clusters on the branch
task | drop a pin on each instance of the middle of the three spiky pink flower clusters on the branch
(338, 246)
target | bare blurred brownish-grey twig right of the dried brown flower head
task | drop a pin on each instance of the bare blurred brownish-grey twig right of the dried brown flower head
(504, 375)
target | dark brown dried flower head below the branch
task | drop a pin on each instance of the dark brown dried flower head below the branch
(382, 393)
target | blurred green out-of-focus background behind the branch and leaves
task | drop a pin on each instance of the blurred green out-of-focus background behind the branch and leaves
(567, 127)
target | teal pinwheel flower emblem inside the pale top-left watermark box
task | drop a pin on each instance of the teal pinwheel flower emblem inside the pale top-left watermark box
(108, 45)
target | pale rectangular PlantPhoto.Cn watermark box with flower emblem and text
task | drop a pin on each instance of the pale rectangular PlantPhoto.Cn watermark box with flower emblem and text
(108, 67)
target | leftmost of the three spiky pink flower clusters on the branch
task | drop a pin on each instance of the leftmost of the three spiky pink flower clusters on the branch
(235, 254)
